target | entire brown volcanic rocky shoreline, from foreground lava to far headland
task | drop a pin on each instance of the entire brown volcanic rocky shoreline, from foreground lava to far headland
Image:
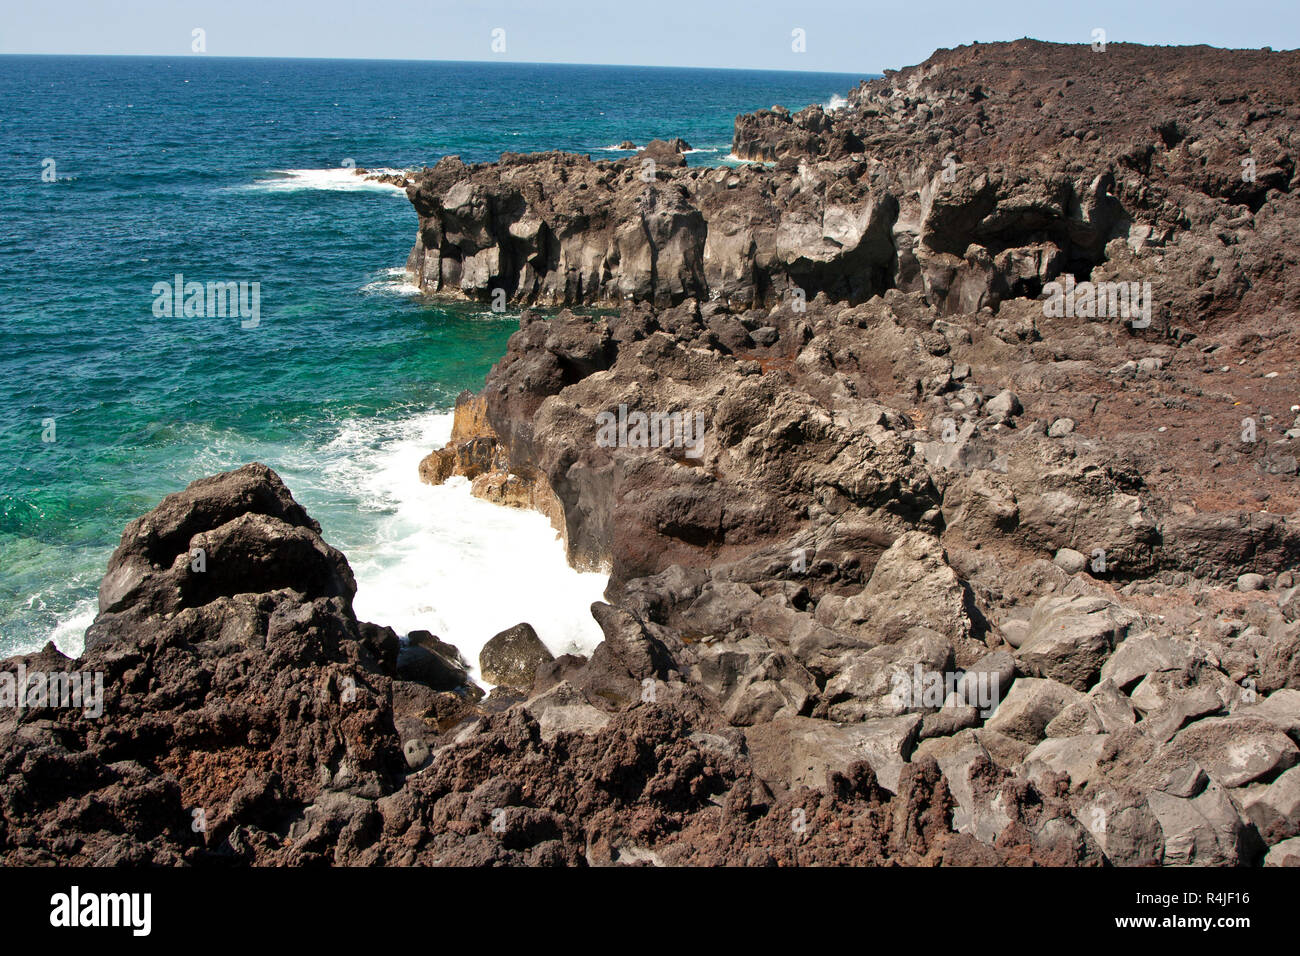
(911, 563)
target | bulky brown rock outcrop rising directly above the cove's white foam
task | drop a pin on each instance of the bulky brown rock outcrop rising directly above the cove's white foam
(766, 458)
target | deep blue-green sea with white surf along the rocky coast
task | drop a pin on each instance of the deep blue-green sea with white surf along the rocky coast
(122, 172)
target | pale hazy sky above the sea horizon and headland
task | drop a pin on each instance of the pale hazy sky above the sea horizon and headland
(842, 36)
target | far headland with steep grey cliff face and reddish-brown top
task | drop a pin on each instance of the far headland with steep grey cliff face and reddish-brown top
(977, 178)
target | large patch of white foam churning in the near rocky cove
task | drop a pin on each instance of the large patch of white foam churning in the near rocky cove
(440, 560)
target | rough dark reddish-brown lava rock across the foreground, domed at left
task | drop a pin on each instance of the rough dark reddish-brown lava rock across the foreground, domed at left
(271, 729)
